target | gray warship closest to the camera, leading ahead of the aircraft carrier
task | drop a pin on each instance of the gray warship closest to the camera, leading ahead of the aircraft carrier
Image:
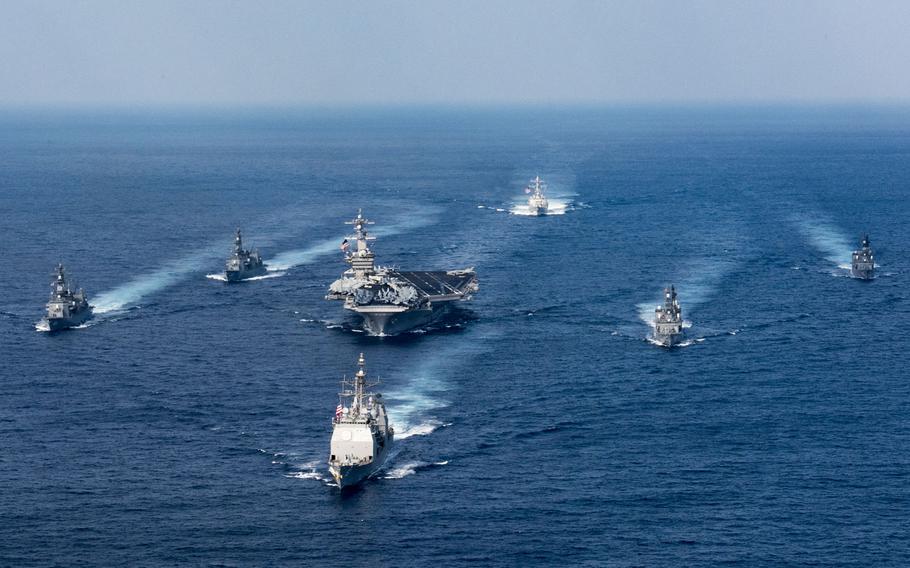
(361, 435)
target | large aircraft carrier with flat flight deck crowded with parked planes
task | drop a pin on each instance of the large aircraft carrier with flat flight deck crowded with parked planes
(392, 301)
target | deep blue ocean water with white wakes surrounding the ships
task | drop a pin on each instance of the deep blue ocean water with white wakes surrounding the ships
(189, 423)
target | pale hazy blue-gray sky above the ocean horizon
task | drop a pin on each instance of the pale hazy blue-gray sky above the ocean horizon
(287, 52)
